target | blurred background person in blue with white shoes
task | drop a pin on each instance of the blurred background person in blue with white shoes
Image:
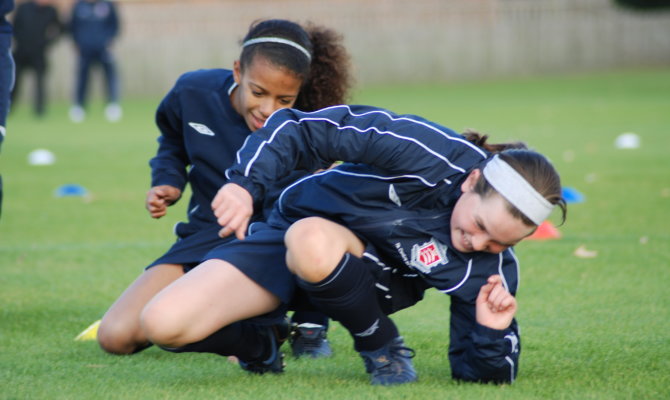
(94, 25)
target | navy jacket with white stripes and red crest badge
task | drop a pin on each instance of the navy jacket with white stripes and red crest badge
(396, 190)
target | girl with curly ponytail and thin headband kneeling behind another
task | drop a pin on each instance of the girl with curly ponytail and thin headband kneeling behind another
(203, 120)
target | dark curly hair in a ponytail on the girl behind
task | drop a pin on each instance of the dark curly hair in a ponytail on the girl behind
(326, 76)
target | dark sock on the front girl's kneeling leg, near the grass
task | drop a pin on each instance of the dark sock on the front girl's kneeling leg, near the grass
(240, 339)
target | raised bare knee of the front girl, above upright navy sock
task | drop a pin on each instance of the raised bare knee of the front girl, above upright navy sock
(316, 245)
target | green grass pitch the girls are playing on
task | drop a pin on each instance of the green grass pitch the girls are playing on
(596, 328)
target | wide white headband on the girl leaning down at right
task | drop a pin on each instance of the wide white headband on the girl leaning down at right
(513, 187)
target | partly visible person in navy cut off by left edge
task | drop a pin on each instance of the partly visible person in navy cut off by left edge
(6, 70)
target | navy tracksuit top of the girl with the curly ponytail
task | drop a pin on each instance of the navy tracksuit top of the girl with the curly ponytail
(200, 135)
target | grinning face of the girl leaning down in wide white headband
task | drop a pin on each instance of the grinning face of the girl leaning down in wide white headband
(484, 223)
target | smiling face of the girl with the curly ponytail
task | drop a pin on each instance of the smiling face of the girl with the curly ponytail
(263, 88)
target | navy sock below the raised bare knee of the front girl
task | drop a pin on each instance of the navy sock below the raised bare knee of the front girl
(348, 295)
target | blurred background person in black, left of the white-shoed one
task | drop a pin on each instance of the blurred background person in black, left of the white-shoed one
(36, 26)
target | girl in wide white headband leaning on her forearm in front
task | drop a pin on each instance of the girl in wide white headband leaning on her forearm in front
(416, 206)
